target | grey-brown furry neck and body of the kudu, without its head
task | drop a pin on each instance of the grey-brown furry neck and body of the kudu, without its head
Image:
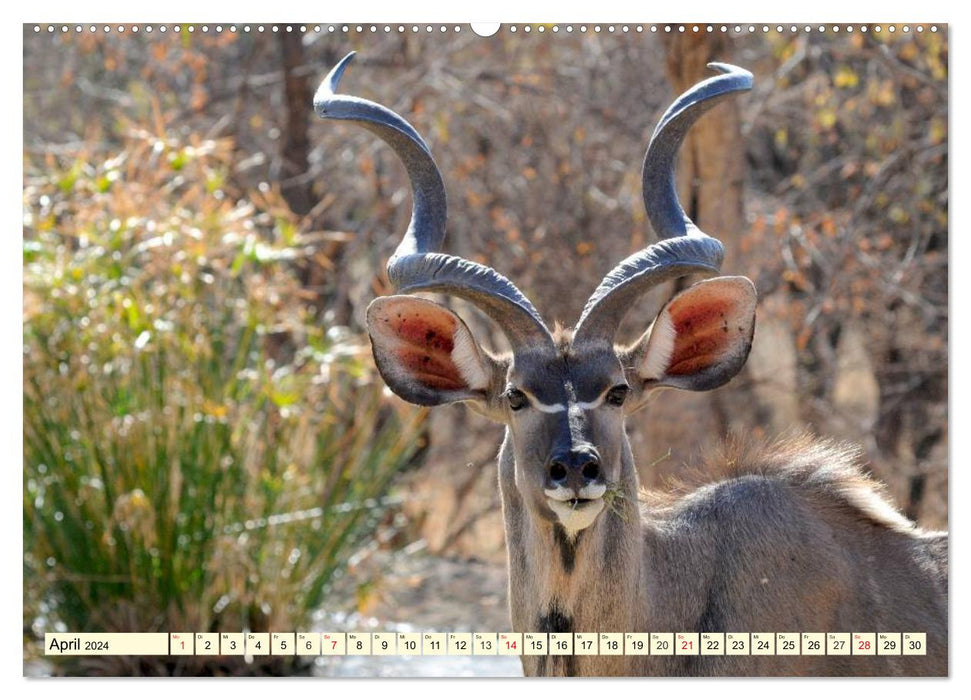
(748, 553)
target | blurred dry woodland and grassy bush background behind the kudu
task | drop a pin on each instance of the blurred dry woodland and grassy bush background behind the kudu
(207, 446)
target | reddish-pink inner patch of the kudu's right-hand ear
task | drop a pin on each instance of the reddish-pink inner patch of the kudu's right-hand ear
(703, 332)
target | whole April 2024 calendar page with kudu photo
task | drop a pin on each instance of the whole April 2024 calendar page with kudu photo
(287, 288)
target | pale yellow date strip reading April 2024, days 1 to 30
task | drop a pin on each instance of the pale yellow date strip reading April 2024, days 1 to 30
(488, 644)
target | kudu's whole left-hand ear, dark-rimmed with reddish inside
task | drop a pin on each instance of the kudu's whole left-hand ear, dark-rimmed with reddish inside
(425, 353)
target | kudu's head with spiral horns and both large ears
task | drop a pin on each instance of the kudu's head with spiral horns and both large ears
(564, 397)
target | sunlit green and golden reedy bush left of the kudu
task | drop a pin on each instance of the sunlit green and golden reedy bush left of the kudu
(201, 450)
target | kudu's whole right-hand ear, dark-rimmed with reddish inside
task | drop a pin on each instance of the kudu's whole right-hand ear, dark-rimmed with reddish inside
(700, 339)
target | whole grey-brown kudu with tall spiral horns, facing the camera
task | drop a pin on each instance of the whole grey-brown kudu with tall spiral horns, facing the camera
(789, 539)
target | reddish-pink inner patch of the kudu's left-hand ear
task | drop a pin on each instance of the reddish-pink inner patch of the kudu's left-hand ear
(424, 347)
